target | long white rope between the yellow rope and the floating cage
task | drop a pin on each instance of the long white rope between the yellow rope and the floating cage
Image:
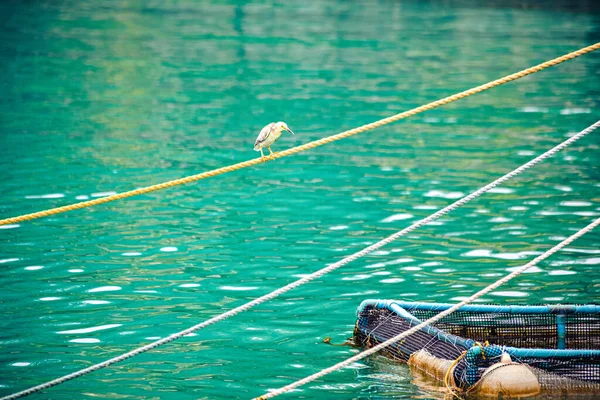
(307, 278)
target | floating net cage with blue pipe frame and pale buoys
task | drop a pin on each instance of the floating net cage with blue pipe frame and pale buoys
(489, 350)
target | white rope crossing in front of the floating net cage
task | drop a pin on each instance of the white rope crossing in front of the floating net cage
(431, 320)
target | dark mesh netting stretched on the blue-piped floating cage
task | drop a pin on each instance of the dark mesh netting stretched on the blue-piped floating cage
(520, 330)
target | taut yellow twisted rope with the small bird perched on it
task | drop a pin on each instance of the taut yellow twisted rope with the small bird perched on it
(306, 146)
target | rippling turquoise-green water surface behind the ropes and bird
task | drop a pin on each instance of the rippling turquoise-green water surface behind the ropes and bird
(102, 97)
